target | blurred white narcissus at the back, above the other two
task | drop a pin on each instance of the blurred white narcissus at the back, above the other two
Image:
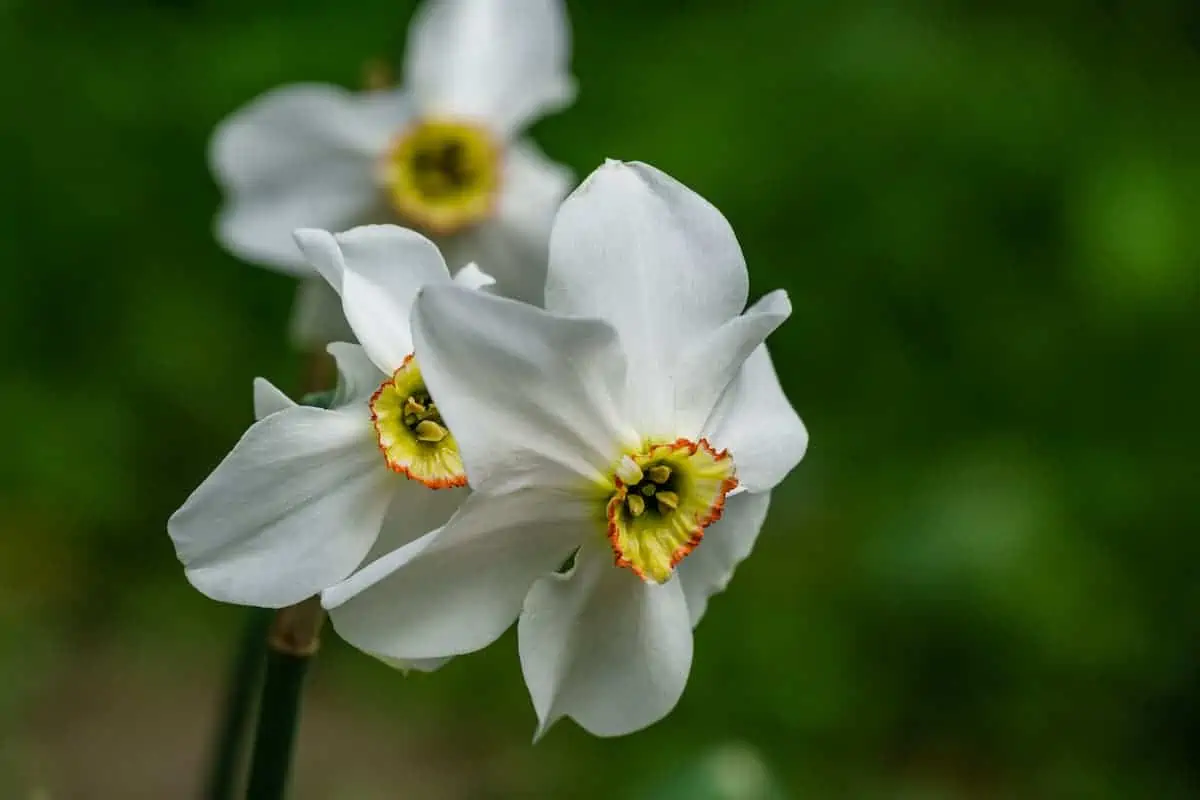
(443, 154)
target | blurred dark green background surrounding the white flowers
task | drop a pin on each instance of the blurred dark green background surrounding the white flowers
(981, 584)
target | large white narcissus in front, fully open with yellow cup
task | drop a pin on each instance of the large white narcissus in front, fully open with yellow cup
(637, 425)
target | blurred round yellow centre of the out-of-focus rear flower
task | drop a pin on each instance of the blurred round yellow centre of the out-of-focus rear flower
(443, 176)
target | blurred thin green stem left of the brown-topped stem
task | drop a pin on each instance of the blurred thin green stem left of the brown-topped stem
(242, 691)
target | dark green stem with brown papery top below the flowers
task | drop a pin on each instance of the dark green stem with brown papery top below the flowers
(291, 646)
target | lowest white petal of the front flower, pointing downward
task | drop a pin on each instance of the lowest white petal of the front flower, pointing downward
(604, 647)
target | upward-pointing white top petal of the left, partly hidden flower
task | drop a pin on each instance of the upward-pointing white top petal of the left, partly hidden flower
(379, 270)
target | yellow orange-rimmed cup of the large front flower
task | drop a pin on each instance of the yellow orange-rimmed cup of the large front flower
(663, 500)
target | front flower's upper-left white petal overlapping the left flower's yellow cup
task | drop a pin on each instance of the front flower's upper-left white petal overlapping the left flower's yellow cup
(529, 396)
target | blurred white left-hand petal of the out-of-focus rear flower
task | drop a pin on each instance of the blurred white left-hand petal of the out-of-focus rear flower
(301, 157)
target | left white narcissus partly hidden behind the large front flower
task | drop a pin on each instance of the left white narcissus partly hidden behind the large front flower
(310, 494)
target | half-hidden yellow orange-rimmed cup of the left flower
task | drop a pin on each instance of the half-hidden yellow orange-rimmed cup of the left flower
(412, 436)
